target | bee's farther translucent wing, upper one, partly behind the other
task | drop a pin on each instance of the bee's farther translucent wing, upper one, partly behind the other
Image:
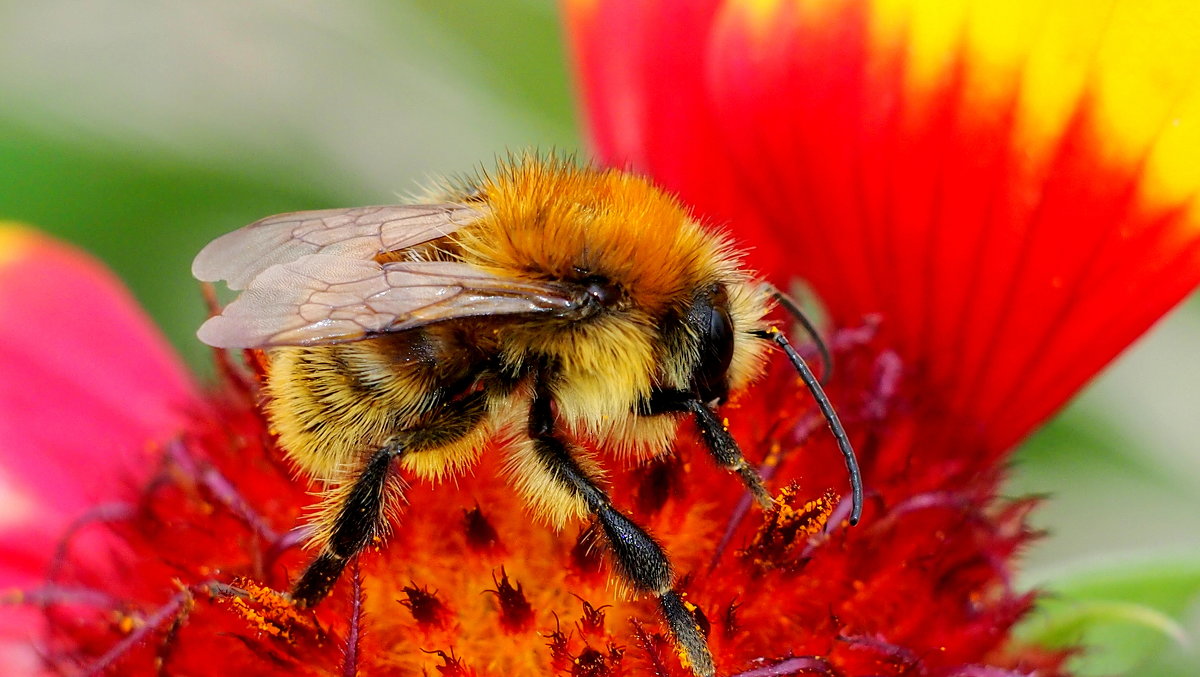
(361, 233)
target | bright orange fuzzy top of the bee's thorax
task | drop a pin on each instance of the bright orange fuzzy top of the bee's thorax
(551, 219)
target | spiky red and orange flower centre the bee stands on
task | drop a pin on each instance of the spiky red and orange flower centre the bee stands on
(196, 548)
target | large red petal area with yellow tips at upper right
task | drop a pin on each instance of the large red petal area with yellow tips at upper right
(979, 175)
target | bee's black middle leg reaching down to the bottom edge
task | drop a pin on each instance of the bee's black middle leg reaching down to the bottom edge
(640, 560)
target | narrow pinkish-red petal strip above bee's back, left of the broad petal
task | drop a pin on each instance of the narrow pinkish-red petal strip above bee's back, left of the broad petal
(647, 104)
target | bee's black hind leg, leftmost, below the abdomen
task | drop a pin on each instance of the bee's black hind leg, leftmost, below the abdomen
(358, 517)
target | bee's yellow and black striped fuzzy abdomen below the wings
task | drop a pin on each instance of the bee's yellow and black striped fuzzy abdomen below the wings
(334, 405)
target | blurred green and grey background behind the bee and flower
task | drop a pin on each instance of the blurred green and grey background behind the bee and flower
(142, 130)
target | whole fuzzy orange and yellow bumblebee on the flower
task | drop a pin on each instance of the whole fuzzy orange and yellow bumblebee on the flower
(543, 304)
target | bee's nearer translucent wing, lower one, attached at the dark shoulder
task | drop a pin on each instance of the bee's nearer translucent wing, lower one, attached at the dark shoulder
(321, 299)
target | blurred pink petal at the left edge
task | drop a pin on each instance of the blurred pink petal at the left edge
(86, 382)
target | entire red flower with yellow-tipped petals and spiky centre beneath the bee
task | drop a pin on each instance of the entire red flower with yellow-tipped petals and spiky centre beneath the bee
(992, 201)
